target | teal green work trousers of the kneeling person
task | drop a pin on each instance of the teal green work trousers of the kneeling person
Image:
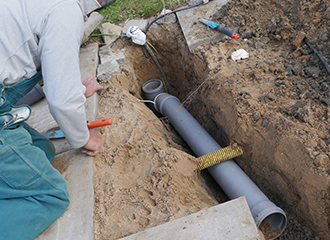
(33, 194)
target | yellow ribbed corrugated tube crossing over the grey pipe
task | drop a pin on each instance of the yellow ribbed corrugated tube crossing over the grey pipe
(219, 156)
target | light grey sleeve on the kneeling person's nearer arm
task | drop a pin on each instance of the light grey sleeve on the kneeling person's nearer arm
(59, 44)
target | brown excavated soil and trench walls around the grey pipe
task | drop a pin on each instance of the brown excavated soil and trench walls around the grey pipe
(275, 104)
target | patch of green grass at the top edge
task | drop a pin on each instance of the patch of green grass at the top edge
(122, 10)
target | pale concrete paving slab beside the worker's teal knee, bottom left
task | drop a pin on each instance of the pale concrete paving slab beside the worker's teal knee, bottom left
(77, 221)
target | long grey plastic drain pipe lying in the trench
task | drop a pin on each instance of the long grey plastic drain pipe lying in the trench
(228, 174)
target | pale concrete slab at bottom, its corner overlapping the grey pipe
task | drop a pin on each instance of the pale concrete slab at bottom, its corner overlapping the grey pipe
(230, 220)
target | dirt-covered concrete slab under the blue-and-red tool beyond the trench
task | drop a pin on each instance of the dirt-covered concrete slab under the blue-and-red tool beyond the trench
(195, 32)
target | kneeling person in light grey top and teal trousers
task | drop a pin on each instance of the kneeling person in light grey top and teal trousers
(40, 39)
